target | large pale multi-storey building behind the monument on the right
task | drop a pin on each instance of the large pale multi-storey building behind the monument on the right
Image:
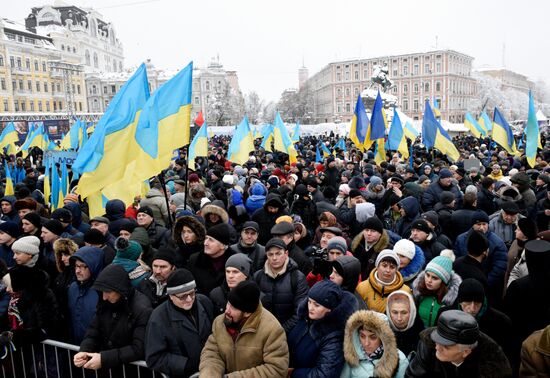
(443, 76)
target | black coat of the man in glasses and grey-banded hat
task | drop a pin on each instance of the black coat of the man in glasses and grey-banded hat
(174, 342)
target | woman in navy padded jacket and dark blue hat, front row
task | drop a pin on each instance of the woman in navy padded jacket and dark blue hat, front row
(315, 342)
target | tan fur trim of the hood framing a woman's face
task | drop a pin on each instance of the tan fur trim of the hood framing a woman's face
(378, 324)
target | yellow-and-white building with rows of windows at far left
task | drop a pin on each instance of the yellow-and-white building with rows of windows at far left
(35, 76)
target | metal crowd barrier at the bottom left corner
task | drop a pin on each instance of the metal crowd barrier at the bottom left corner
(54, 359)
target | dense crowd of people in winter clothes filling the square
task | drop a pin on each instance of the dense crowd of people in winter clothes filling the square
(333, 268)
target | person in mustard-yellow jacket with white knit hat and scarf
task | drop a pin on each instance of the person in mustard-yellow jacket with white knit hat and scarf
(383, 280)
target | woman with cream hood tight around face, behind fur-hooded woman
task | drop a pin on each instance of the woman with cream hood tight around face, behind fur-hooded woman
(404, 322)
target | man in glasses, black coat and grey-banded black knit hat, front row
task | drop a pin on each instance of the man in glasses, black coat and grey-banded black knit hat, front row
(178, 328)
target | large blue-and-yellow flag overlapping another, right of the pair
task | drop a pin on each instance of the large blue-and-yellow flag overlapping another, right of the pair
(164, 125)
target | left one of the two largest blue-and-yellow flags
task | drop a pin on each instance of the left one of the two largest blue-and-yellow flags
(104, 158)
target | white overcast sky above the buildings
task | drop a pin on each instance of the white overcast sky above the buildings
(266, 41)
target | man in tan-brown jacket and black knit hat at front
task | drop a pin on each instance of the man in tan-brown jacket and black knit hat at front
(246, 340)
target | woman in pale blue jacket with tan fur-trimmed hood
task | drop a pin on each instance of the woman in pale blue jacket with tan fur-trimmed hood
(370, 348)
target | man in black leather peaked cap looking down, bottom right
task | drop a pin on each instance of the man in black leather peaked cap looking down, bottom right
(456, 348)
